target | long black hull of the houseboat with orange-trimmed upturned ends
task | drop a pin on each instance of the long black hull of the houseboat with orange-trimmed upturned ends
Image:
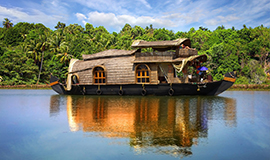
(162, 89)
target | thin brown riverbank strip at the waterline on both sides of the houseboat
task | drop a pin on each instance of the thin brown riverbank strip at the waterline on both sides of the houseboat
(234, 87)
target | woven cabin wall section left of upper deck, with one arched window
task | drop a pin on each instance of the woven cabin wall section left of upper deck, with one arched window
(117, 70)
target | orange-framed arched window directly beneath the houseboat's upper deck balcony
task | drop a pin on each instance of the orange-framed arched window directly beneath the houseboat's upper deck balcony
(142, 74)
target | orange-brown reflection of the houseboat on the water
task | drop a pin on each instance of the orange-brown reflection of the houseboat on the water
(149, 122)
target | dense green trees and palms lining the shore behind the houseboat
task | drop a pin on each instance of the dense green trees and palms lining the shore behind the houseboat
(27, 50)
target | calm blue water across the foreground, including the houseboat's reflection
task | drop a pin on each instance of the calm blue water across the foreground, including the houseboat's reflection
(38, 124)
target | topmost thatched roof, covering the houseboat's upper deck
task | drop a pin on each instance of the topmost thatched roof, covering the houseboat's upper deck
(161, 44)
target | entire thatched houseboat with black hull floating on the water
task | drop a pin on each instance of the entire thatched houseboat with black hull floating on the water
(152, 68)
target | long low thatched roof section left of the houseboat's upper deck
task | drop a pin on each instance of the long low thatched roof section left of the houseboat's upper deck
(108, 54)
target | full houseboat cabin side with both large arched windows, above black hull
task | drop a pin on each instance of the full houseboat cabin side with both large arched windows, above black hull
(123, 70)
